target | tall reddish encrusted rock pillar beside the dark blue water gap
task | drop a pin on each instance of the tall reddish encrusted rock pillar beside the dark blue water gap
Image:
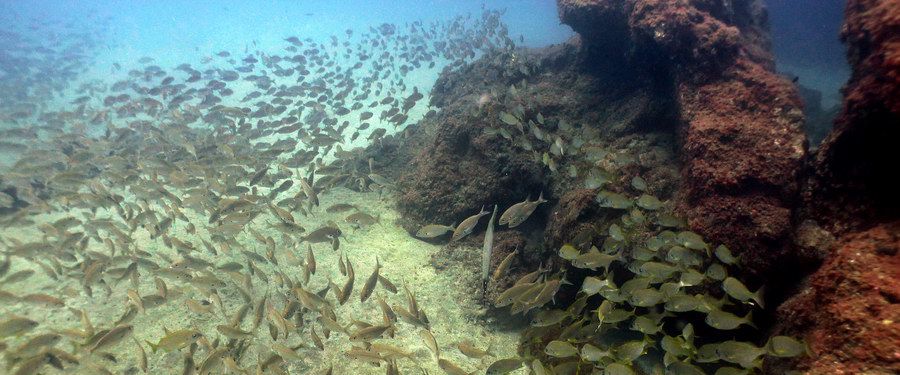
(741, 136)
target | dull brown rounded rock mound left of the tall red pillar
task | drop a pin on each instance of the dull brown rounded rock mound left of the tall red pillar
(458, 165)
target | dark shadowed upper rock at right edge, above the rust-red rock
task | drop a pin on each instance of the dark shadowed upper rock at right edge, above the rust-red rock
(851, 184)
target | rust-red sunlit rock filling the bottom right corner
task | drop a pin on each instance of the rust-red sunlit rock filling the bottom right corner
(849, 312)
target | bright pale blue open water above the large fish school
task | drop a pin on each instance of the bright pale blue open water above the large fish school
(173, 32)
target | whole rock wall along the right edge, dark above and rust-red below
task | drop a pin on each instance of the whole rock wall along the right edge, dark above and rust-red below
(849, 308)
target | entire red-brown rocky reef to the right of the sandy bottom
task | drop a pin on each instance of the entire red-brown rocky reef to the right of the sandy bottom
(684, 94)
